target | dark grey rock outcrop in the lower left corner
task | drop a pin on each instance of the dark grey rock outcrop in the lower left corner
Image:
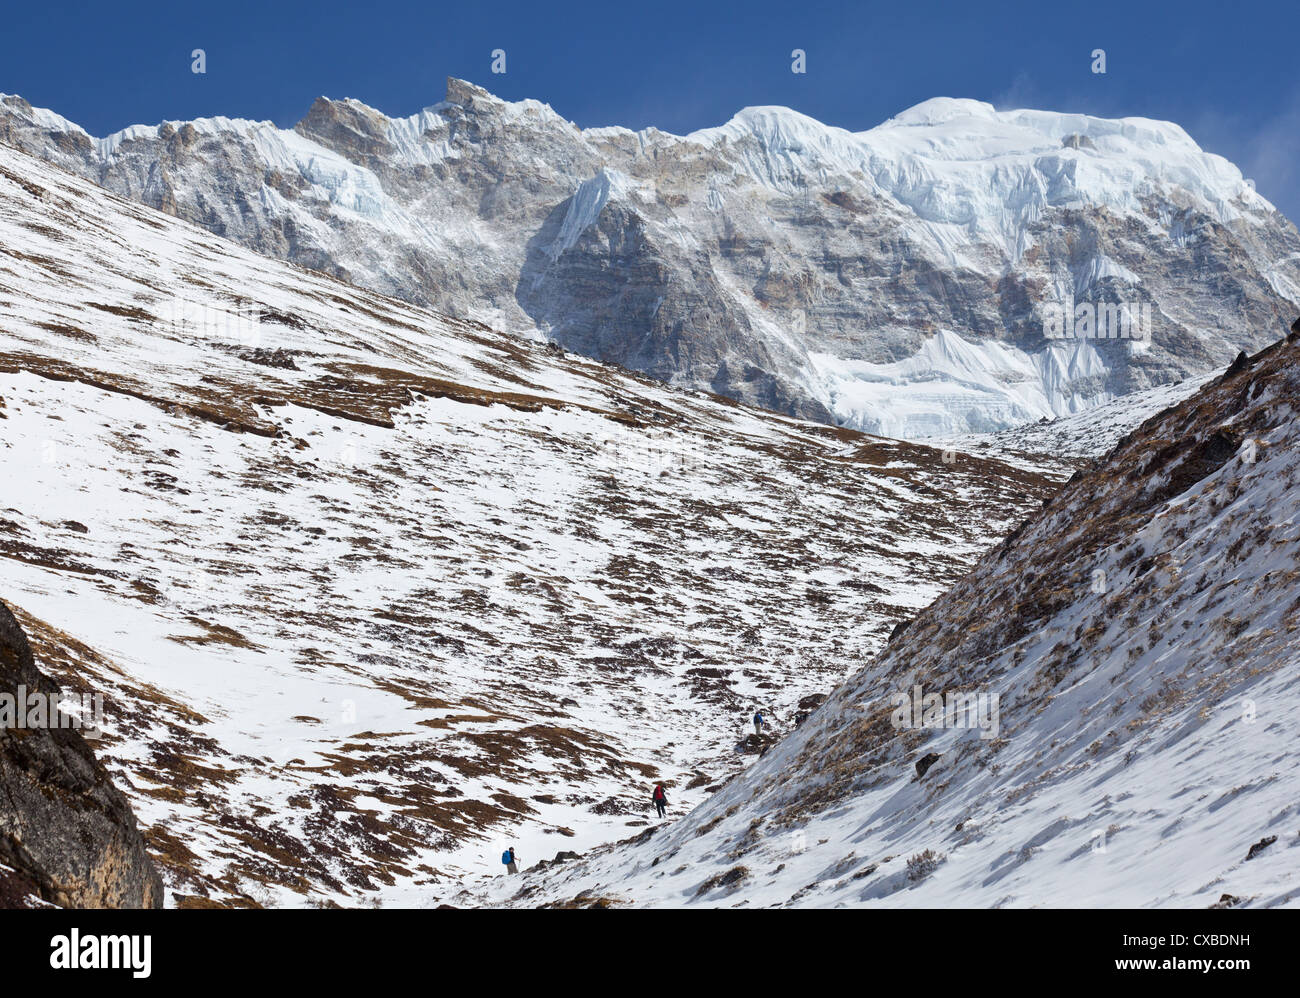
(64, 827)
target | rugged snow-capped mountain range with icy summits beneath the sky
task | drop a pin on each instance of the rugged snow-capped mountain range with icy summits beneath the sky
(895, 280)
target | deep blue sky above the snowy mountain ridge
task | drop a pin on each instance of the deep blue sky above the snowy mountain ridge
(1228, 73)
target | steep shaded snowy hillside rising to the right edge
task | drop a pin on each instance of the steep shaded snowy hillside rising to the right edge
(1129, 724)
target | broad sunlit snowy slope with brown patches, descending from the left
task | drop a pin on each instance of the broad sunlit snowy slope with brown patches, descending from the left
(371, 591)
